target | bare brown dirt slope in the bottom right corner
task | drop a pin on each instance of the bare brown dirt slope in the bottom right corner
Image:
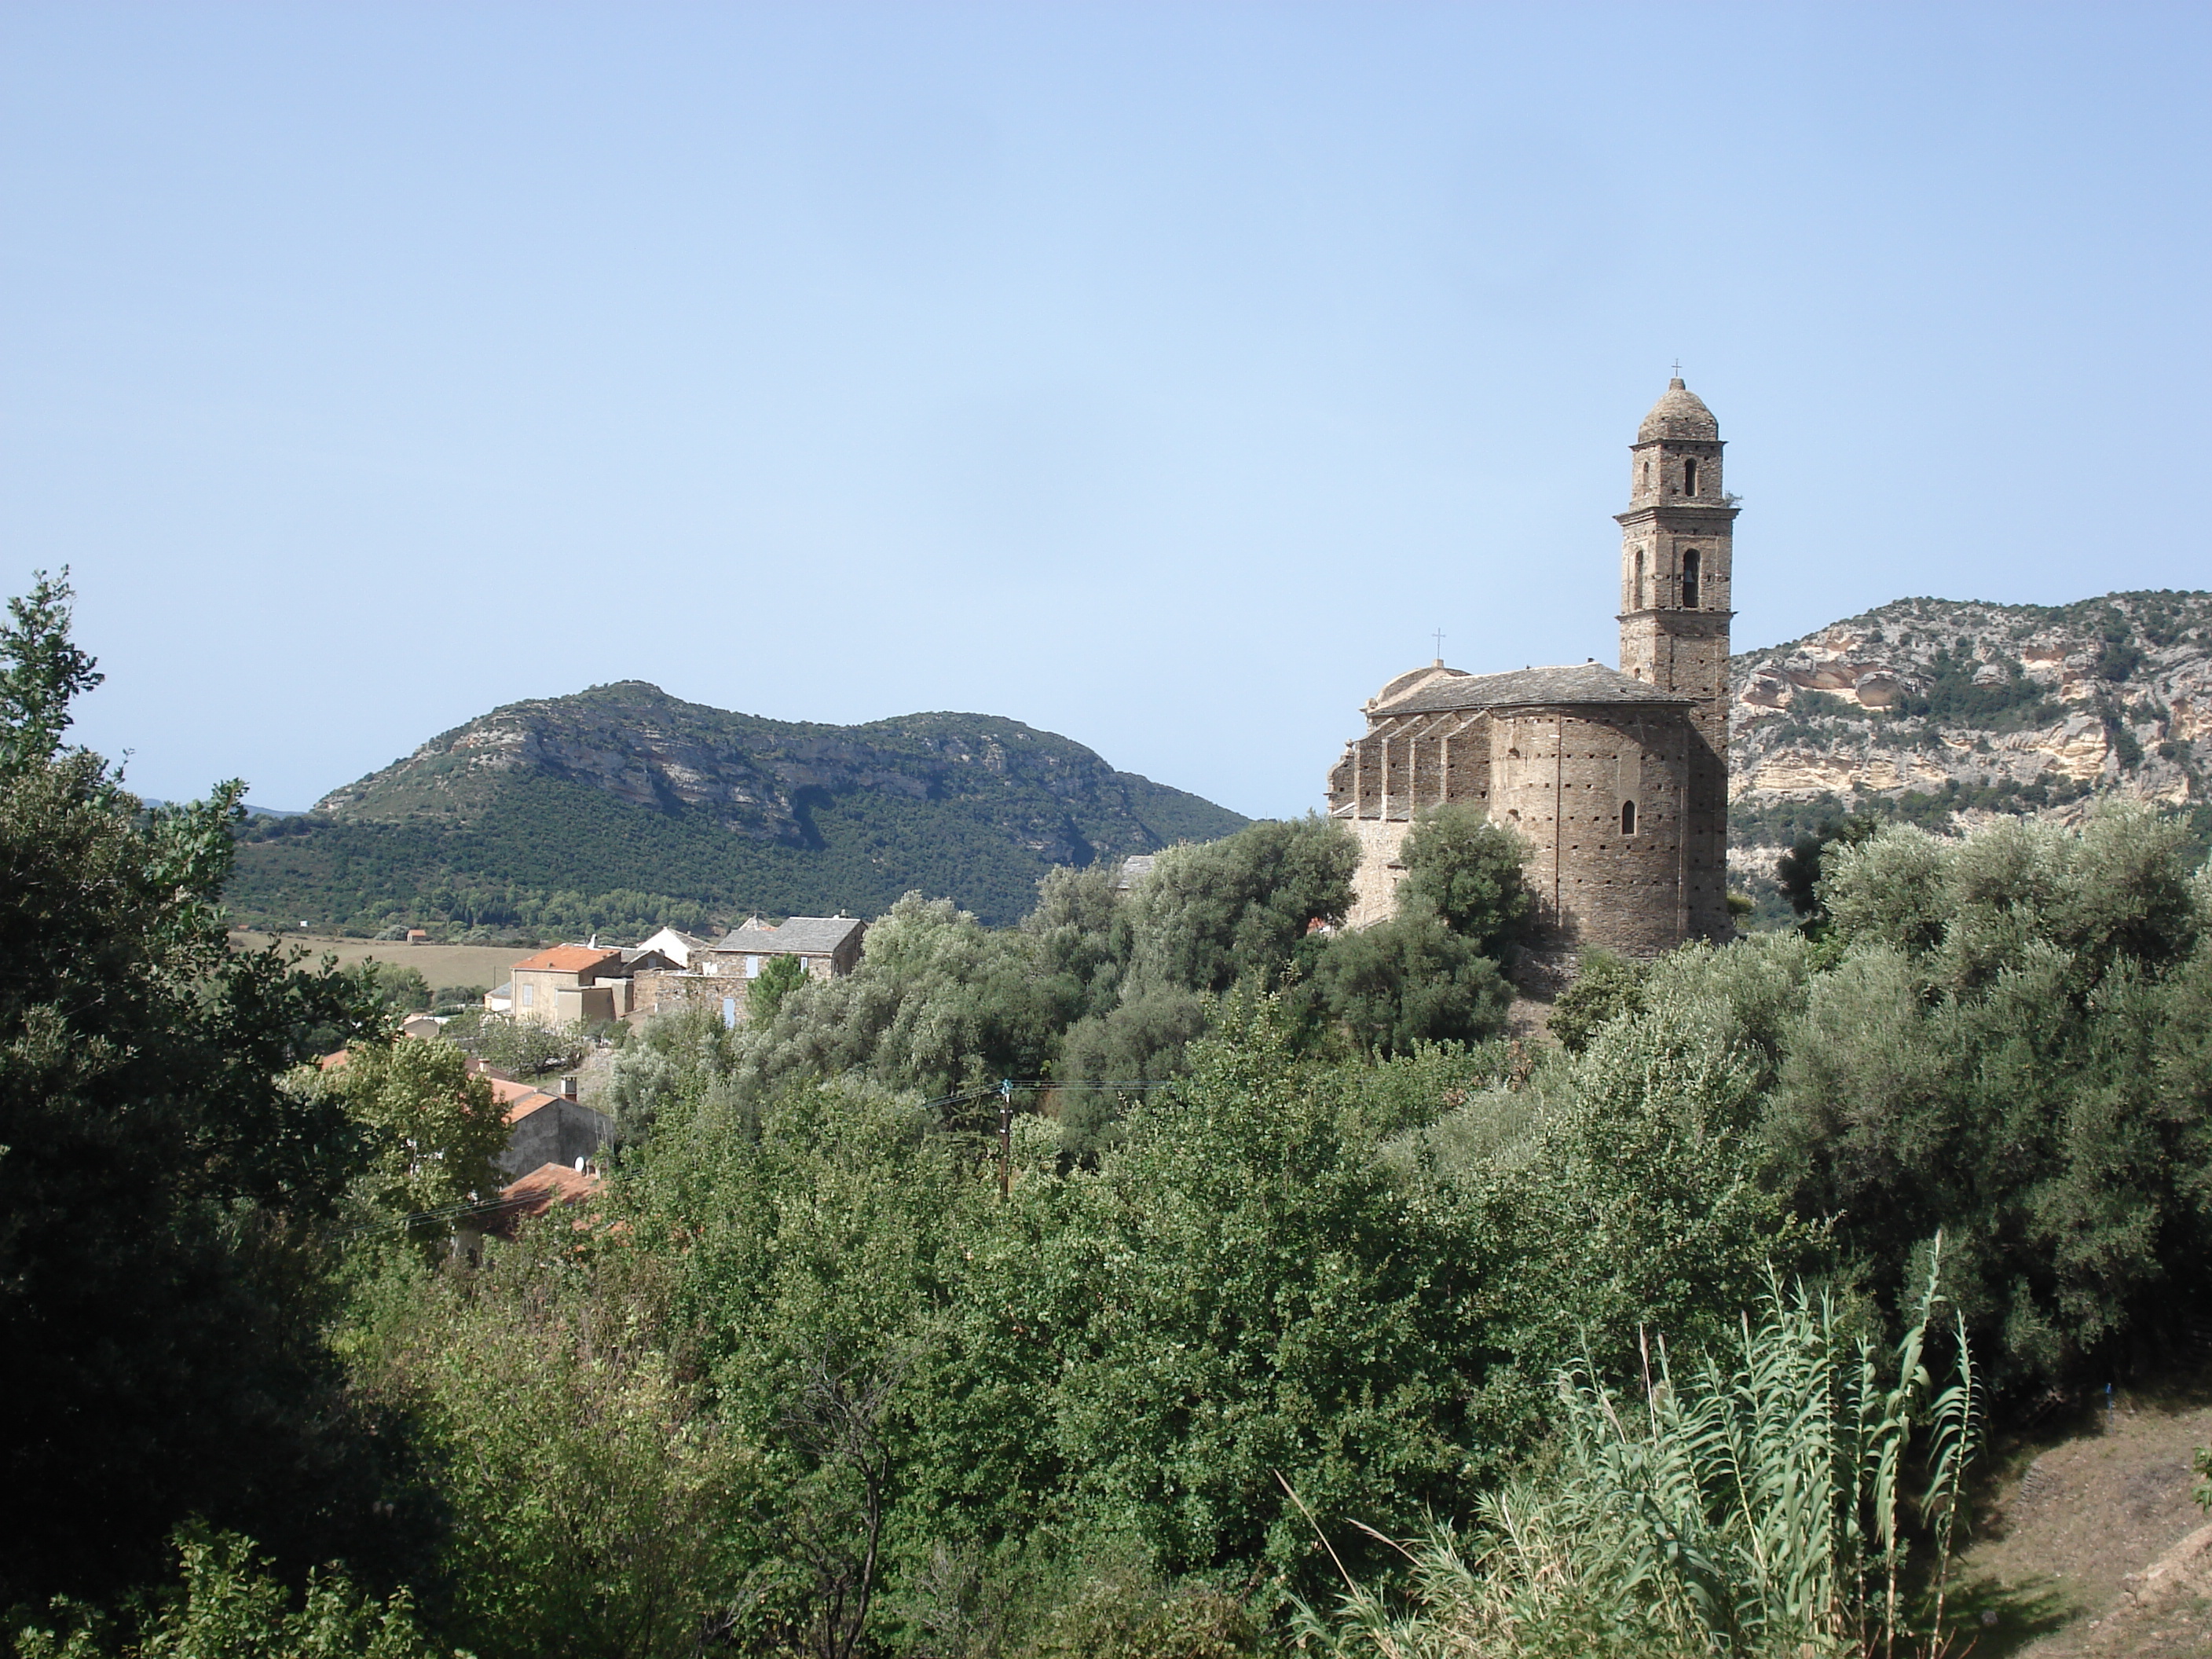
(2096, 1547)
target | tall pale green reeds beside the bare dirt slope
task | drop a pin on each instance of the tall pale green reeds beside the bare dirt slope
(1755, 1503)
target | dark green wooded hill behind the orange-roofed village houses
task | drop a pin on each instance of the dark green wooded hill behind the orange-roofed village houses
(623, 806)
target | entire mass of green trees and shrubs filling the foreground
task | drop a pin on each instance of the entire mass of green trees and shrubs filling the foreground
(1127, 1282)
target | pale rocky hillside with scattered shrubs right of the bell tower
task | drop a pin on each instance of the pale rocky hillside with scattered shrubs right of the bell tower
(1948, 711)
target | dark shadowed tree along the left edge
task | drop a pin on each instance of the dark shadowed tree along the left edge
(156, 1277)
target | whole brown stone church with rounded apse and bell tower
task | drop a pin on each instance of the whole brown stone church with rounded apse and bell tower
(1618, 780)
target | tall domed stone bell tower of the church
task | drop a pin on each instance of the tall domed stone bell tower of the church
(1678, 567)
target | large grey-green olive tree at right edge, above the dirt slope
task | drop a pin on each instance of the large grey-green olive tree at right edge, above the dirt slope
(2014, 1047)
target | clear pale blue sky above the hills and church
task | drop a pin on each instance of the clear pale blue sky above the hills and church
(1151, 375)
